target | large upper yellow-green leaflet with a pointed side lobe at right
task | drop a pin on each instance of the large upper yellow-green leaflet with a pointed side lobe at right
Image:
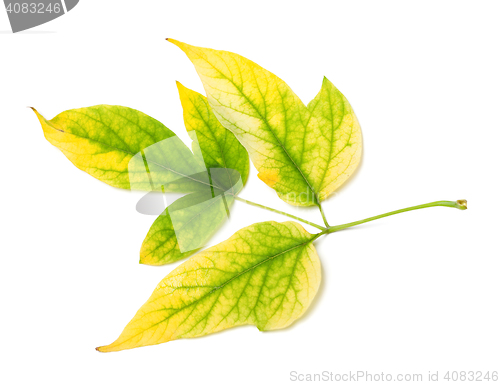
(304, 153)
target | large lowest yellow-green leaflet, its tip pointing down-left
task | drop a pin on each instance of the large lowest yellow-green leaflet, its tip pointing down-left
(265, 275)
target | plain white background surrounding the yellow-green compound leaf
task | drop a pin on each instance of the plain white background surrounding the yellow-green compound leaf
(412, 293)
